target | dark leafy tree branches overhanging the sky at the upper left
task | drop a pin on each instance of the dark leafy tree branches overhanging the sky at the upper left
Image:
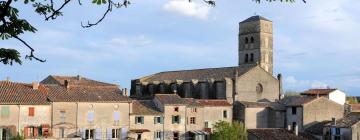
(12, 26)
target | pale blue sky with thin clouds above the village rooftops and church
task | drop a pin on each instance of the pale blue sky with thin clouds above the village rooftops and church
(316, 44)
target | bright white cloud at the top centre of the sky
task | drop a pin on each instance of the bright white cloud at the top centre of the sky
(186, 8)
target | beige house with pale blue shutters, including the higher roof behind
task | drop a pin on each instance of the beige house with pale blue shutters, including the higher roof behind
(87, 109)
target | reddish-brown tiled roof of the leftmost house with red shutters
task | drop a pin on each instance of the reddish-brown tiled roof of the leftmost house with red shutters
(21, 93)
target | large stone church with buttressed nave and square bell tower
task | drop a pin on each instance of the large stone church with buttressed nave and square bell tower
(252, 80)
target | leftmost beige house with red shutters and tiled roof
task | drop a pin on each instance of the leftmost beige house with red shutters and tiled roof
(24, 109)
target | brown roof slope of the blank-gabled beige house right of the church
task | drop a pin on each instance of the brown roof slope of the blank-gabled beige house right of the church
(296, 100)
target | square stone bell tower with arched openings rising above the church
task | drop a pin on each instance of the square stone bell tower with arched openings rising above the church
(256, 43)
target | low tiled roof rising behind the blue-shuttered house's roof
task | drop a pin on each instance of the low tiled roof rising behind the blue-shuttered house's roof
(73, 81)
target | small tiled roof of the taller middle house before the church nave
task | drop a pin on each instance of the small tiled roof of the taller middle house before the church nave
(170, 99)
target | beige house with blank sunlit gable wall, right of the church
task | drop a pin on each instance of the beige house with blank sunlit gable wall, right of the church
(303, 111)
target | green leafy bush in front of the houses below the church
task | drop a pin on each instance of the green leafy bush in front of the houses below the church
(226, 131)
